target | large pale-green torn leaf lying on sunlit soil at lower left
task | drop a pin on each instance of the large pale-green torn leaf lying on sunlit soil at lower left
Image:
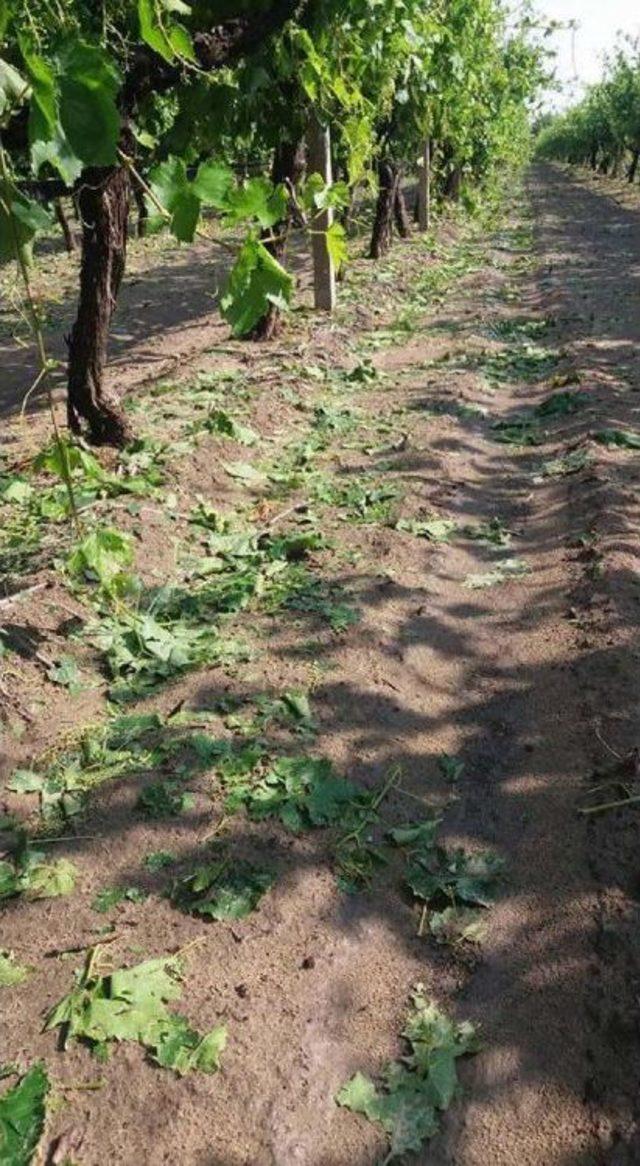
(131, 1005)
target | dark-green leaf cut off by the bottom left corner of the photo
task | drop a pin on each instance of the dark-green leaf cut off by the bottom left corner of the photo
(23, 1114)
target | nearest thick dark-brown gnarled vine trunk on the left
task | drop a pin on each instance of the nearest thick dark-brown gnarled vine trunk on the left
(104, 203)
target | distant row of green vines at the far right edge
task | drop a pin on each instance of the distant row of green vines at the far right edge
(602, 131)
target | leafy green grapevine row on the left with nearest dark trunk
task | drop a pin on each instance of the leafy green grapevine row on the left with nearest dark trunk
(154, 102)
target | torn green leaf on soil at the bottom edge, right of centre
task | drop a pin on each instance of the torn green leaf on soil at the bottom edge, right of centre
(420, 1086)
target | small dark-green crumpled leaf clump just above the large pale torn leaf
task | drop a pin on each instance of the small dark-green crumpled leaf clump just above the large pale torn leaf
(222, 889)
